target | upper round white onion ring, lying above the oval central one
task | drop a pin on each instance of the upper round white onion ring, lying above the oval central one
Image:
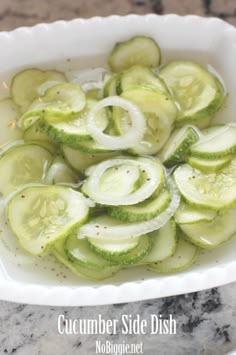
(131, 137)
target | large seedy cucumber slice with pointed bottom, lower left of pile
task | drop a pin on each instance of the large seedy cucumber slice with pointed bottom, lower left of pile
(39, 215)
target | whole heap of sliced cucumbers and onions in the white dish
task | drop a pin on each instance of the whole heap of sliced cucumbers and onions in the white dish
(125, 168)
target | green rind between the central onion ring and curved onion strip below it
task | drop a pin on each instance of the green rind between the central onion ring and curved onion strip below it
(123, 213)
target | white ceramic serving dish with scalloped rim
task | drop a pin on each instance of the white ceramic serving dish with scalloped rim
(63, 45)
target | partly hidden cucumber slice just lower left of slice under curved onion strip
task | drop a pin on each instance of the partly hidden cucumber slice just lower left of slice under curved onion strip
(80, 251)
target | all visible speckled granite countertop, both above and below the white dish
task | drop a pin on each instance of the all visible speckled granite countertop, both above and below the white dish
(206, 321)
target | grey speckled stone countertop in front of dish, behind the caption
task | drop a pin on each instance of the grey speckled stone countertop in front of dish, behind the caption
(206, 325)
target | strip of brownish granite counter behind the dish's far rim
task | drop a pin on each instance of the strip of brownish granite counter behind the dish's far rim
(14, 13)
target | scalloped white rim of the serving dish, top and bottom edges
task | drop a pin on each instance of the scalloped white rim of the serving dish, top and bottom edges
(131, 291)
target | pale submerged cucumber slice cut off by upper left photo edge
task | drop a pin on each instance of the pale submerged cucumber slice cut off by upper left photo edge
(9, 115)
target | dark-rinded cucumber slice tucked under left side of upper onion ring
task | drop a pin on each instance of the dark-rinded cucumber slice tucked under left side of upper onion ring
(73, 131)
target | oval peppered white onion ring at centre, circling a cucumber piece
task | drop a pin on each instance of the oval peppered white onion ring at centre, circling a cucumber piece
(154, 177)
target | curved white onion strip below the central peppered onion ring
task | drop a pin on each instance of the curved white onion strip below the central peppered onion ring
(131, 230)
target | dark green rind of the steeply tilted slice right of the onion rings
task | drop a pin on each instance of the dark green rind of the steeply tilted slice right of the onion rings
(182, 150)
